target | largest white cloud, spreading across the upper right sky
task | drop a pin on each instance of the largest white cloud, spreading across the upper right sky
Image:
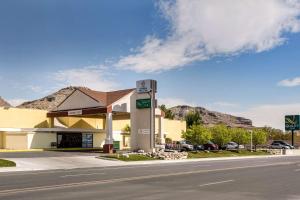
(201, 29)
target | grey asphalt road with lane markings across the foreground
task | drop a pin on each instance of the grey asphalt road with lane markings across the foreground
(263, 178)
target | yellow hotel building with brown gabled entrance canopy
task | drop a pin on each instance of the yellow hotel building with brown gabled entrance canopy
(85, 119)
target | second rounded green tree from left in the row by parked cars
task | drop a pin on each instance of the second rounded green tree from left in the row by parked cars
(221, 135)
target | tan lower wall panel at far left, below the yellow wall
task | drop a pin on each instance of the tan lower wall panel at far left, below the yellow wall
(15, 141)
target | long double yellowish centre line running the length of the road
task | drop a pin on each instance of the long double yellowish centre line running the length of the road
(107, 181)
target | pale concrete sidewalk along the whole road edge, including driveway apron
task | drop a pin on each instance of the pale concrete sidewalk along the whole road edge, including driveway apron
(51, 163)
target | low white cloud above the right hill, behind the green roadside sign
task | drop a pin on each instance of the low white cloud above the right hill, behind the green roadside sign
(270, 115)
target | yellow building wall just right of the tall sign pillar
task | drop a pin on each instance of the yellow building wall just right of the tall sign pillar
(173, 129)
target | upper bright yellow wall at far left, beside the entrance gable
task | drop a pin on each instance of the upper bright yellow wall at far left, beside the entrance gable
(23, 118)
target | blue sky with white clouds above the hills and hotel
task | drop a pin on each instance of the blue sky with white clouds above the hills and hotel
(232, 56)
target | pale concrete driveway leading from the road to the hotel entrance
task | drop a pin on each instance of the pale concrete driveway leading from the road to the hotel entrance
(28, 161)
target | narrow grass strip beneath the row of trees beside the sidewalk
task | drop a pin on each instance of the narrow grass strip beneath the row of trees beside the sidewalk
(214, 154)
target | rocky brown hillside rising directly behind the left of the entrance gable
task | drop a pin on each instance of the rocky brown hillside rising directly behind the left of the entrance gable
(49, 102)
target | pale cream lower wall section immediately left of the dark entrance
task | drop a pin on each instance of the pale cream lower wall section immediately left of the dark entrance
(40, 140)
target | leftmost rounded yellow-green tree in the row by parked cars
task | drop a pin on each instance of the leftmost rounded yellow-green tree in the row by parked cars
(197, 134)
